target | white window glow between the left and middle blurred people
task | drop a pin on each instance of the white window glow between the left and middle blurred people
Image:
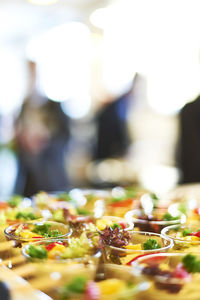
(63, 56)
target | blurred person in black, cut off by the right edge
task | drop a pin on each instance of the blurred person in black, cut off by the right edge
(188, 153)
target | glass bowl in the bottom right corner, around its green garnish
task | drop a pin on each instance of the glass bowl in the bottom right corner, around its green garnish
(163, 287)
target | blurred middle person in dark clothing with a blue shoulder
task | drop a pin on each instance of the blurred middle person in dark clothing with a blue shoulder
(113, 139)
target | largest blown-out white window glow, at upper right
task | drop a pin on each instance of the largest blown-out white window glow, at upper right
(147, 37)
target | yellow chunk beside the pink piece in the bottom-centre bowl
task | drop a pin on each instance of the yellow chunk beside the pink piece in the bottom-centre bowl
(111, 286)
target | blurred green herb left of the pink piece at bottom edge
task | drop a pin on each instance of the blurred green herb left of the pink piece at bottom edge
(76, 286)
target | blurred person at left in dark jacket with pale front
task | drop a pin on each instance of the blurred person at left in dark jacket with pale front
(41, 138)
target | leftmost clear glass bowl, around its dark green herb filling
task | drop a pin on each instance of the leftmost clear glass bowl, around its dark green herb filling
(64, 229)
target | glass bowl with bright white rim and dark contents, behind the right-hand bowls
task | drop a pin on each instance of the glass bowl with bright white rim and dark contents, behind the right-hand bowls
(152, 226)
